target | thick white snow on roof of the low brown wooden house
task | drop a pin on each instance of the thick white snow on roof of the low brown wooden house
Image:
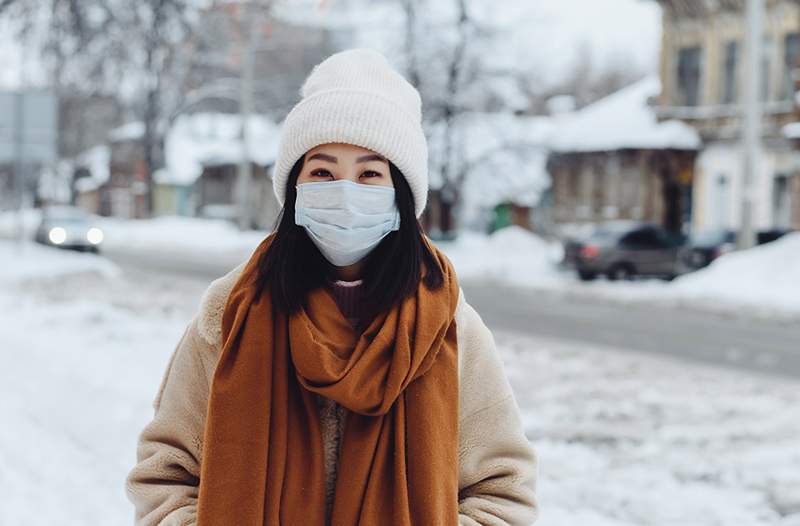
(622, 120)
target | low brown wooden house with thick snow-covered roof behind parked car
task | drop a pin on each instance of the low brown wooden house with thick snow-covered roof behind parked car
(614, 160)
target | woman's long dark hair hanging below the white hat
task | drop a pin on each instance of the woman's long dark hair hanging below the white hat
(293, 266)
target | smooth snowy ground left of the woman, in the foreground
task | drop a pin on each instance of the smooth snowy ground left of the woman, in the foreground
(83, 348)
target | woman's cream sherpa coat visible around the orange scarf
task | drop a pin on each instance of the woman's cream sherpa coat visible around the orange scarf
(497, 464)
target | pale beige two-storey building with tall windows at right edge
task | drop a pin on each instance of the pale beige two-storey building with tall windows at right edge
(702, 70)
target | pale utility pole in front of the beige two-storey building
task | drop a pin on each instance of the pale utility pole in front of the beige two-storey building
(752, 120)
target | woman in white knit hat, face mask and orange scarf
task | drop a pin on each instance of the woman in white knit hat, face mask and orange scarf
(339, 376)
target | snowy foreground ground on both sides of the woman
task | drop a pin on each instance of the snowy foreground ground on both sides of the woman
(623, 439)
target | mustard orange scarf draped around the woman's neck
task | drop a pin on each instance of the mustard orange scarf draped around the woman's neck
(262, 448)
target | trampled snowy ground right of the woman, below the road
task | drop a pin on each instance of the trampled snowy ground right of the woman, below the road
(628, 439)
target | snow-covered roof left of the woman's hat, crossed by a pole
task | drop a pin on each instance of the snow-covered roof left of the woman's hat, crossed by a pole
(204, 139)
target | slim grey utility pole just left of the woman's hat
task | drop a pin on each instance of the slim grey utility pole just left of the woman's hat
(250, 23)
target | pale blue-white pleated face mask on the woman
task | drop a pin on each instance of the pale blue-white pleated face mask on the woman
(346, 220)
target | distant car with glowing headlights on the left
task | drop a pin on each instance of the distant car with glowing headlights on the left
(69, 227)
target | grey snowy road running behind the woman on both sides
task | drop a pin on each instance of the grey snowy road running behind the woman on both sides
(769, 346)
